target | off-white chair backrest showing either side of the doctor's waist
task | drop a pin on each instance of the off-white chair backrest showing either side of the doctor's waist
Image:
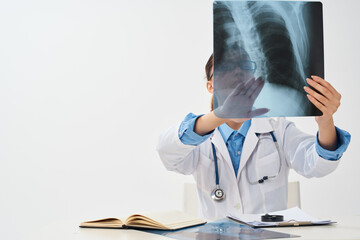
(191, 201)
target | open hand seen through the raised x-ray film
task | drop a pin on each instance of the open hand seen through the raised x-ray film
(238, 105)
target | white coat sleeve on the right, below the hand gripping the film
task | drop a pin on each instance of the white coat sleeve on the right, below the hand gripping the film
(300, 152)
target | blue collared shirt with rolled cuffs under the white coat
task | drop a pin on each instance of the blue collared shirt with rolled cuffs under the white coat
(234, 140)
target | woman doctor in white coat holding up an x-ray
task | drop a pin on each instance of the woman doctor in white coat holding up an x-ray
(242, 165)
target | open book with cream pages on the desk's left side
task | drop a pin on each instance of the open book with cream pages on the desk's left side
(171, 220)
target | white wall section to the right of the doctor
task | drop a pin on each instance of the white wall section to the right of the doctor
(339, 192)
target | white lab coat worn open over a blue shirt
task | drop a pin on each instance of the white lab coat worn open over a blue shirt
(259, 158)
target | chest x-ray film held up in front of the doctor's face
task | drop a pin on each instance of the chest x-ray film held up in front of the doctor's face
(263, 53)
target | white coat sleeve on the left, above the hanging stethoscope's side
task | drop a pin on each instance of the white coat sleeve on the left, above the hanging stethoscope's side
(175, 155)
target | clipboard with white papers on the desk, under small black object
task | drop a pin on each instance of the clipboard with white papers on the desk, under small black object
(292, 217)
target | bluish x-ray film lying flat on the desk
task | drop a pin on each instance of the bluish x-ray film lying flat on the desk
(222, 229)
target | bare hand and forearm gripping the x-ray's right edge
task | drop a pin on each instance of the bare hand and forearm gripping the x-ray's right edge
(327, 101)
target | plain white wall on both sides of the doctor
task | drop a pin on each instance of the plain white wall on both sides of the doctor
(87, 86)
